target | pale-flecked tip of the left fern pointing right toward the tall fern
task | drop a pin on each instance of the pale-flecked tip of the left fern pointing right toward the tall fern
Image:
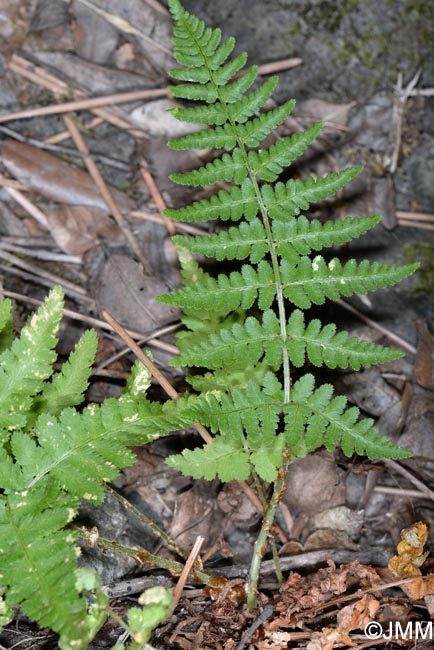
(83, 450)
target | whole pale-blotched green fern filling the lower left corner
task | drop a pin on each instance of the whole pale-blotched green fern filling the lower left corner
(53, 456)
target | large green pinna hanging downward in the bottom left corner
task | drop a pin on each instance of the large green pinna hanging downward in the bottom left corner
(46, 588)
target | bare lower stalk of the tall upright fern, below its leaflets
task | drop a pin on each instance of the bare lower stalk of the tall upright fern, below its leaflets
(261, 541)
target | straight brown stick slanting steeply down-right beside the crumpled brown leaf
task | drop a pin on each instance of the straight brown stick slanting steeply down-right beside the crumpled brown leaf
(104, 191)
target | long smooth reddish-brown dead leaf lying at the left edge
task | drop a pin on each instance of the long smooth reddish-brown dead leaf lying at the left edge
(54, 178)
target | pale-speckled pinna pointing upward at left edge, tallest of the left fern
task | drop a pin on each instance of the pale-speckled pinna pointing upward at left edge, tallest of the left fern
(27, 363)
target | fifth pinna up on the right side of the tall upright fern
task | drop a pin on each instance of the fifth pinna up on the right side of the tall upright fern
(285, 200)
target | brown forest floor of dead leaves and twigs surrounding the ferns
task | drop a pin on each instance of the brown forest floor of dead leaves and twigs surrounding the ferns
(83, 181)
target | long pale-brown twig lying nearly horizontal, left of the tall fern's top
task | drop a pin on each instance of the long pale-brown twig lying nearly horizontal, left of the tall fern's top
(85, 104)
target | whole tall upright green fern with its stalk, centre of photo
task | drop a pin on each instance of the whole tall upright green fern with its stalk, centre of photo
(247, 327)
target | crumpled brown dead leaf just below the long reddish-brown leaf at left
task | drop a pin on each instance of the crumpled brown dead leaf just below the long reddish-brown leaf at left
(77, 228)
